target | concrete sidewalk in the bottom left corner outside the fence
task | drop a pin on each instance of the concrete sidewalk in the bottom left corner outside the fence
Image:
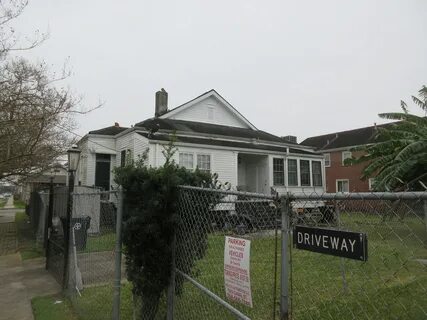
(20, 281)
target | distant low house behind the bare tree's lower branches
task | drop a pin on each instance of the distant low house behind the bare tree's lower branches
(57, 174)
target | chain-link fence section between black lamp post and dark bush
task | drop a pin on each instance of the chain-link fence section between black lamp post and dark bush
(93, 258)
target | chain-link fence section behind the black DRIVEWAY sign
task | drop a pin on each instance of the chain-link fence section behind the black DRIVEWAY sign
(391, 284)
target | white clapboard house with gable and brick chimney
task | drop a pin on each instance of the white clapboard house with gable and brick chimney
(211, 135)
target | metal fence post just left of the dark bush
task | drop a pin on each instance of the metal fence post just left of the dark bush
(118, 257)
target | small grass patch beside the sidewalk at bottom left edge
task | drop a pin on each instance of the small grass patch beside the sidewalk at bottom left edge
(48, 308)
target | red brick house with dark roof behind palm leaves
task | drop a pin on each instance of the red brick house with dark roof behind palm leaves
(336, 148)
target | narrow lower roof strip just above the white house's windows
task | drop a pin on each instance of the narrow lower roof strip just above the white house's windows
(224, 143)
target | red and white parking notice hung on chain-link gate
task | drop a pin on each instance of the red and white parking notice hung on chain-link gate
(236, 270)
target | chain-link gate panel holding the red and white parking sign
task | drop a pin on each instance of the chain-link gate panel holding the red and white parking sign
(207, 217)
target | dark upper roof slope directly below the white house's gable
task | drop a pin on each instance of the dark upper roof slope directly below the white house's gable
(155, 124)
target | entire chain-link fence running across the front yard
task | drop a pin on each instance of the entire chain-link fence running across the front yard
(284, 281)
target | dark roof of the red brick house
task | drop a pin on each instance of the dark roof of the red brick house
(349, 138)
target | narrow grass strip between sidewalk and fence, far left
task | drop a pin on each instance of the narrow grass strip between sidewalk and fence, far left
(26, 244)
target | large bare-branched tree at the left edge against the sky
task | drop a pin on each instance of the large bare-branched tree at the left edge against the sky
(36, 113)
